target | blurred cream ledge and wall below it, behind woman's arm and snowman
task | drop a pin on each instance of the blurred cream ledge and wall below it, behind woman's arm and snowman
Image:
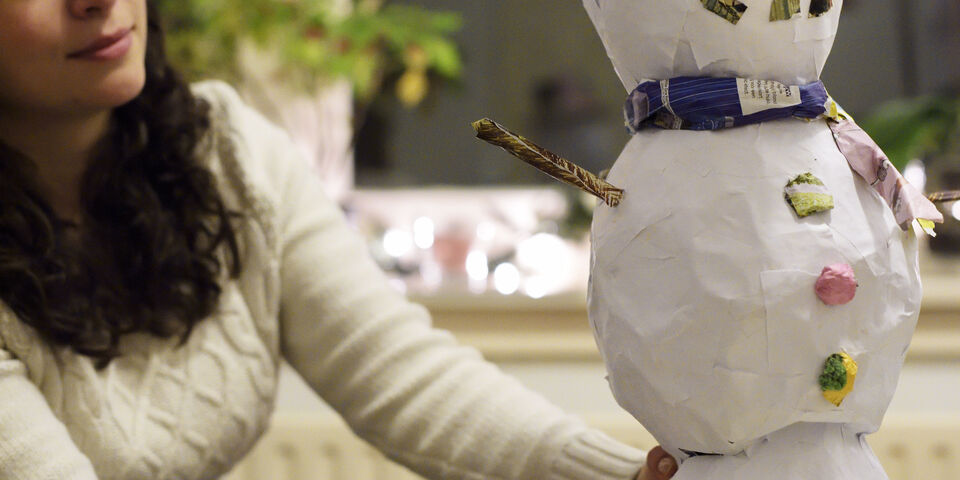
(547, 344)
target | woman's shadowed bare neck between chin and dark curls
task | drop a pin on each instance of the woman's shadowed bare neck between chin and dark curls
(61, 149)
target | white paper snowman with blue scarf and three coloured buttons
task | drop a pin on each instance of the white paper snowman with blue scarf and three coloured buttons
(754, 293)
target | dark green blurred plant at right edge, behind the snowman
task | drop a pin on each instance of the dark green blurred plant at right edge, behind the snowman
(916, 128)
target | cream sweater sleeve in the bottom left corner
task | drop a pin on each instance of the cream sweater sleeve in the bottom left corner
(34, 444)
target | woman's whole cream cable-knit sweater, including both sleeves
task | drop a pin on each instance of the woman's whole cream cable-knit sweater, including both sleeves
(310, 294)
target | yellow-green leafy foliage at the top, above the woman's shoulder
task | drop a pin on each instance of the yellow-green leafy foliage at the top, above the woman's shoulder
(363, 41)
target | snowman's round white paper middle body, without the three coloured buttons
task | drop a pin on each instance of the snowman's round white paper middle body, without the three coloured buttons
(702, 286)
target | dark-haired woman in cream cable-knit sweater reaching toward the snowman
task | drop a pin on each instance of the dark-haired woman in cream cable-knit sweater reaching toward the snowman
(162, 248)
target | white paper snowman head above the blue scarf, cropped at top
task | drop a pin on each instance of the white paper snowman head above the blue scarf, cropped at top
(783, 40)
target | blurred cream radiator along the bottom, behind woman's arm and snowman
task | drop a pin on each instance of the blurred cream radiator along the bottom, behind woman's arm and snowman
(320, 447)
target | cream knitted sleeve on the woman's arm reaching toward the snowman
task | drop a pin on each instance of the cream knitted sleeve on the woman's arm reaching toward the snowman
(408, 389)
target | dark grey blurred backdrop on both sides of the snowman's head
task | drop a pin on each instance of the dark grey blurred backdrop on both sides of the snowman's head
(539, 67)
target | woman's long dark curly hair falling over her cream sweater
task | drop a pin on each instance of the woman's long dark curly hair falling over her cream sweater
(156, 237)
